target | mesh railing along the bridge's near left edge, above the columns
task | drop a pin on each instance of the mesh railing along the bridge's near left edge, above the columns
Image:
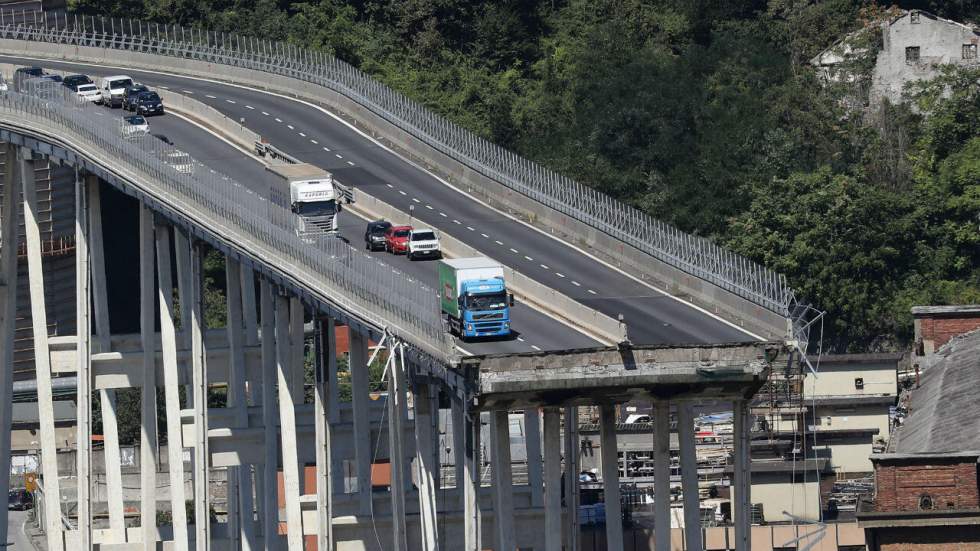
(353, 281)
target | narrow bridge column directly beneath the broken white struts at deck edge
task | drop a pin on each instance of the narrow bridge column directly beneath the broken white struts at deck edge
(396, 435)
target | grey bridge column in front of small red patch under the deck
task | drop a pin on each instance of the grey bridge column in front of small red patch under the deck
(362, 425)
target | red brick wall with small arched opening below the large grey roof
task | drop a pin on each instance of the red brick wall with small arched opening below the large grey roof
(951, 485)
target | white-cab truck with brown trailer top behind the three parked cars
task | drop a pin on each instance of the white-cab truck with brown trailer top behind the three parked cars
(312, 195)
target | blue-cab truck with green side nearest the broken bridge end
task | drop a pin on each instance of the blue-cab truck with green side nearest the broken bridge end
(474, 297)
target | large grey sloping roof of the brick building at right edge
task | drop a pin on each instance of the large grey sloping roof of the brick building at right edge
(944, 414)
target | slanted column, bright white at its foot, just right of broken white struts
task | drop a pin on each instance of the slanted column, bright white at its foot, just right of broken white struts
(426, 466)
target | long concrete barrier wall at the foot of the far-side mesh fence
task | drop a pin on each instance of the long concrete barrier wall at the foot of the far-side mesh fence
(724, 303)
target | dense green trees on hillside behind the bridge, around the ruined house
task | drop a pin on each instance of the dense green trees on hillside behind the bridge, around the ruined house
(705, 114)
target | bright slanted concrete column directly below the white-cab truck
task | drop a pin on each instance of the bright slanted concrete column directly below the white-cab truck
(287, 423)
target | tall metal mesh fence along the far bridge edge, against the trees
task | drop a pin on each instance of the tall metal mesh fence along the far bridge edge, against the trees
(691, 254)
